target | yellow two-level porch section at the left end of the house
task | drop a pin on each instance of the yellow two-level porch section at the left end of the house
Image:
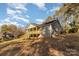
(33, 30)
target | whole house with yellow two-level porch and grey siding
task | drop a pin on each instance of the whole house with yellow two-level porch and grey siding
(46, 29)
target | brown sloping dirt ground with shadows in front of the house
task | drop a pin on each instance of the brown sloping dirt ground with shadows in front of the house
(63, 45)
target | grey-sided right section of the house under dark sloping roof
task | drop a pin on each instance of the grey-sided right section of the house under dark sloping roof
(51, 27)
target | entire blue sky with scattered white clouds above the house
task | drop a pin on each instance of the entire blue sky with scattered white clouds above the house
(22, 14)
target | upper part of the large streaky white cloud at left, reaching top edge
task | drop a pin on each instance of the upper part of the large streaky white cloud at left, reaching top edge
(16, 8)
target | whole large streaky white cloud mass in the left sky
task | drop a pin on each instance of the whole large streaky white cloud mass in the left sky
(15, 13)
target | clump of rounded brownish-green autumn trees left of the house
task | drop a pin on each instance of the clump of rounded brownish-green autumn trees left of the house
(11, 30)
